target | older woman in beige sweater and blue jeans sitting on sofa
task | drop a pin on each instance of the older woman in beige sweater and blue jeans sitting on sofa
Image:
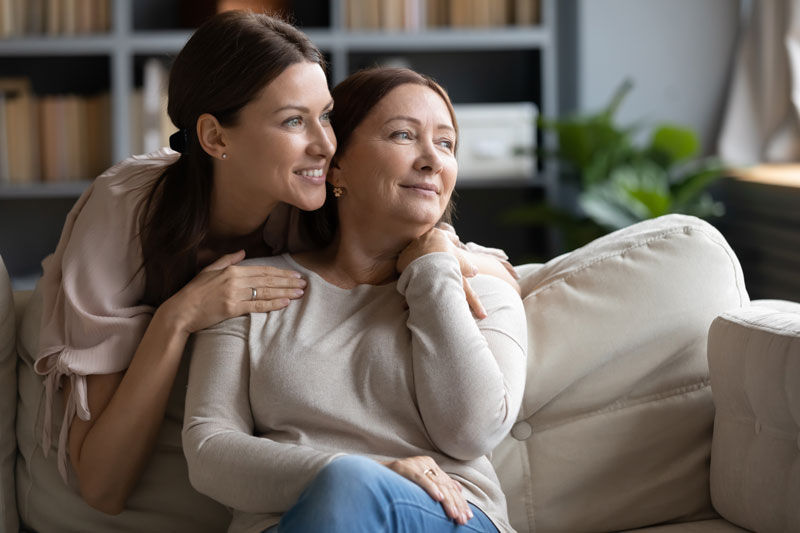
(372, 403)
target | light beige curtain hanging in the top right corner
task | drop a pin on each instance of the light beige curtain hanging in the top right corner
(762, 118)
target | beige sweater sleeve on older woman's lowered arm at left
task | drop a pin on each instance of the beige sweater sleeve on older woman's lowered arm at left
(225, 460)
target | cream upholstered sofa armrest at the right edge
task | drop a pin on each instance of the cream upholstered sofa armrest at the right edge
(754, 362)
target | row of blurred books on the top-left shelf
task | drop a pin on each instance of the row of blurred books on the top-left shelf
(53, 17)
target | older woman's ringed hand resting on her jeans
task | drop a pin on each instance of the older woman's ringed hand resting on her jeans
(424, 471)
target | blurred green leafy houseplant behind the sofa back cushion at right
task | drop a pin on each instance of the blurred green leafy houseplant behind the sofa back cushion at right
(609, 182)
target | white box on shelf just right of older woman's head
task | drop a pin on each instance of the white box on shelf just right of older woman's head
(496, 140)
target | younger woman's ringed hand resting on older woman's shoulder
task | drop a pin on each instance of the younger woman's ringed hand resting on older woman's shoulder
(225, 290)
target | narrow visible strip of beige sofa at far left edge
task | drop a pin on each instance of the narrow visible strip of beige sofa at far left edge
(8, 401)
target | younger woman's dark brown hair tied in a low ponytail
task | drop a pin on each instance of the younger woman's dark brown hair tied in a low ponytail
(224, 66)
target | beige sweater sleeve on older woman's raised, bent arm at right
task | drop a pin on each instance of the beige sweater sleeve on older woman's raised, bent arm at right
(469, 375)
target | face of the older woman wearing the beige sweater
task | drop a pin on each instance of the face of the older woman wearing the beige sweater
(400, 167)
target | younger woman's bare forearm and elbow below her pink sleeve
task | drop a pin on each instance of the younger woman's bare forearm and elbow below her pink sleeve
(110, 451)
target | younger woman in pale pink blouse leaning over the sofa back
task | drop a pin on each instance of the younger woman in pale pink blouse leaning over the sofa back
(146, 256)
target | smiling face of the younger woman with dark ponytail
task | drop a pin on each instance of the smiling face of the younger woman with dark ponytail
(283, 143)
